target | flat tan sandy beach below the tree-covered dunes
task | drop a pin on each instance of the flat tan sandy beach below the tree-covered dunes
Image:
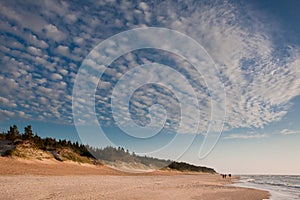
(50, 179)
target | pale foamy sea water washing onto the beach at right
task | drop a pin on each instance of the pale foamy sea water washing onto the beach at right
(281, 187)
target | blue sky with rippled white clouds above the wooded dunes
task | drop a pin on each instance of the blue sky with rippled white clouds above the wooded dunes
(213, 83)
